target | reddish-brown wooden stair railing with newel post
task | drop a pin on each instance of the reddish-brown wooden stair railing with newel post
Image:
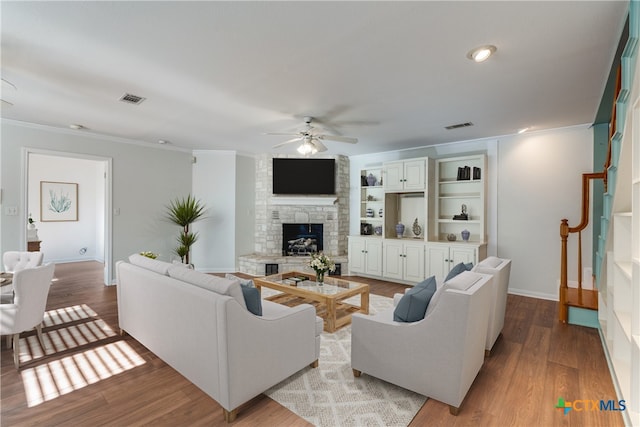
(579, 297)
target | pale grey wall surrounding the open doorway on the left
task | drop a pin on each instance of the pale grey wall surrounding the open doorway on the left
(145, 177)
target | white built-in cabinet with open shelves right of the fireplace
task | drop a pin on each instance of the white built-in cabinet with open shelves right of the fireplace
(429, 193)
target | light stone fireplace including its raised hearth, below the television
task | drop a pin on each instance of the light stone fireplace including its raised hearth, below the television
(273, 211)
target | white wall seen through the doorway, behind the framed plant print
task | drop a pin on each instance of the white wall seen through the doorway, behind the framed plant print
(63, 241)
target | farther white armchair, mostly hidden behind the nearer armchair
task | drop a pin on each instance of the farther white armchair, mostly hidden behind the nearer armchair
(500, 269)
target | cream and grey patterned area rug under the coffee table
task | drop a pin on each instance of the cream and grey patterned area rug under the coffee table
(329, 395)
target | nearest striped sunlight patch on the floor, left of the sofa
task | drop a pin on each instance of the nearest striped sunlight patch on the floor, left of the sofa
(58, 377)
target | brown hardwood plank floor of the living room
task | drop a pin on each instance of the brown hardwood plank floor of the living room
(535, 361)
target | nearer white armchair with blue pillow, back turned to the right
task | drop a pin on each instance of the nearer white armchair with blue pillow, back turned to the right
(438, 356)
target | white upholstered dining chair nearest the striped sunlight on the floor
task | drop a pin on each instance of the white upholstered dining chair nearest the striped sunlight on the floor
(31, 287)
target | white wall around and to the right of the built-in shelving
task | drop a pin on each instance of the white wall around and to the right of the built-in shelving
(534, 180)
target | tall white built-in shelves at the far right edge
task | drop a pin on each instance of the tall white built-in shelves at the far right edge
(619, 292)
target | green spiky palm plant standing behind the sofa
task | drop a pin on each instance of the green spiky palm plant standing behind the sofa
(184, 212)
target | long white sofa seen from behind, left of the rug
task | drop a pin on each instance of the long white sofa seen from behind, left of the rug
(200, 326)
